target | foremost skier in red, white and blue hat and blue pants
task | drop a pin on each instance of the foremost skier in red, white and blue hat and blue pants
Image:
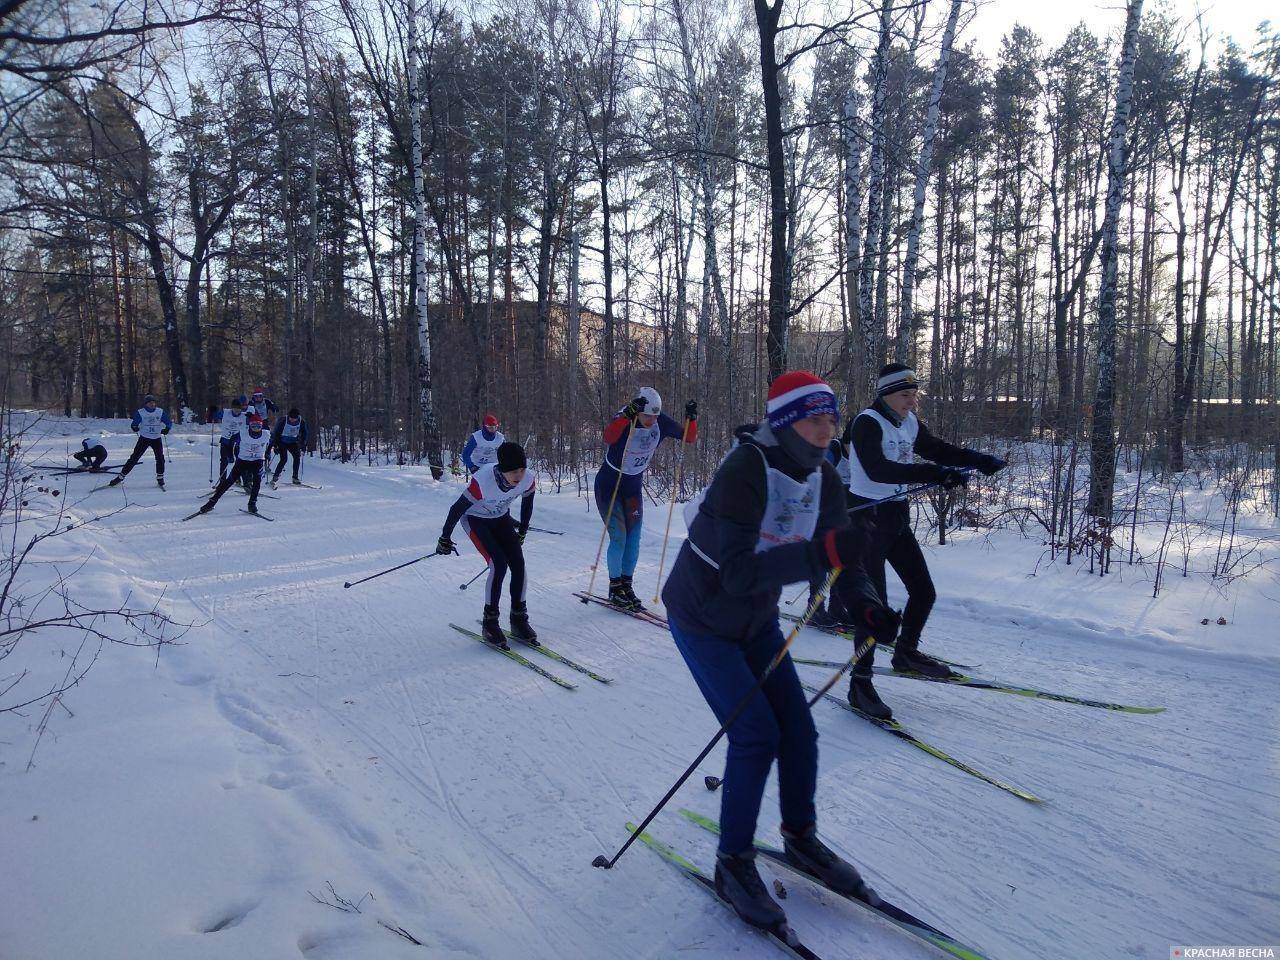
(775, 514)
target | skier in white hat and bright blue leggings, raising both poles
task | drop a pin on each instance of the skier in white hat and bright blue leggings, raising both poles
(637, 431)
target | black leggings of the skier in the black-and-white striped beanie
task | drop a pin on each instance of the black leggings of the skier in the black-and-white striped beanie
(894, 542)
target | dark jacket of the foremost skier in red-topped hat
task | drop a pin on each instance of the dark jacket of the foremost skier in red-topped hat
(740, 600)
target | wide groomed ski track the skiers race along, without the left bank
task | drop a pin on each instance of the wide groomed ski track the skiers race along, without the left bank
(1155, 830)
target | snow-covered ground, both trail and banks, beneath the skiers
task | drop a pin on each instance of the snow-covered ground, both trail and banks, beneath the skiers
(190, 806)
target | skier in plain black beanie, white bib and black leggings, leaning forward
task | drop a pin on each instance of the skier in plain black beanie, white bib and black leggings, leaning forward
(483, 513)
